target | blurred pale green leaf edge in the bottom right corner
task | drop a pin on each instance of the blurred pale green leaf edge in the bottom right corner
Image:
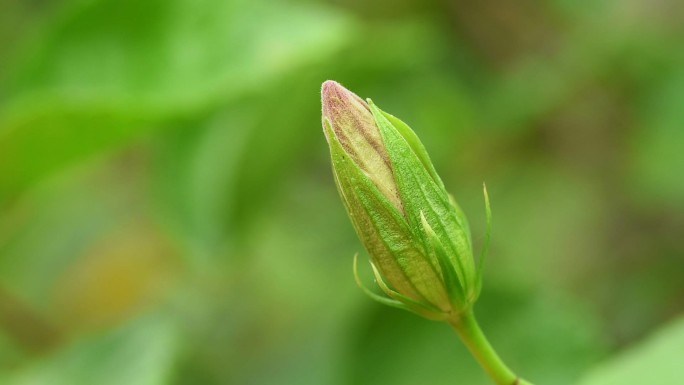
(658, 360)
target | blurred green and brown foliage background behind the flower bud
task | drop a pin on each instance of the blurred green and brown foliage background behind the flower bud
(168, 214)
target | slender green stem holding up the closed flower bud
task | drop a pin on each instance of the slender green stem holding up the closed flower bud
(468, 329)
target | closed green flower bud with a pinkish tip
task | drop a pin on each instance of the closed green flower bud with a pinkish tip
(416, 235)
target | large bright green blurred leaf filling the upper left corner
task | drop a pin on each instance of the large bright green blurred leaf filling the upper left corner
(111, 71)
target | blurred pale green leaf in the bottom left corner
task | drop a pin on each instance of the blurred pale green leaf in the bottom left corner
(139, 353)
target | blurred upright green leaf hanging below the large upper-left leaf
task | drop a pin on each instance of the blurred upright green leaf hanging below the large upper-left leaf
(195, 167)
